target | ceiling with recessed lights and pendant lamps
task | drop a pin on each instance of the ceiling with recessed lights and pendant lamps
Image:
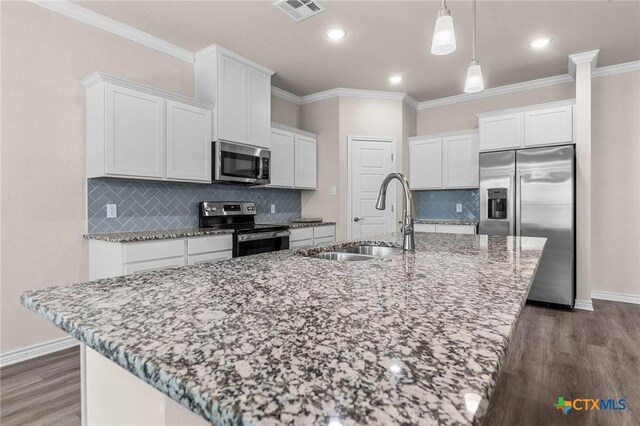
(393, 37)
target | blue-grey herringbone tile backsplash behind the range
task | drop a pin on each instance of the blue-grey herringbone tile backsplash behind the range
(146, 205)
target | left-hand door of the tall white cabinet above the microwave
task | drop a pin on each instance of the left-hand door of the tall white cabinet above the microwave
(232, 100)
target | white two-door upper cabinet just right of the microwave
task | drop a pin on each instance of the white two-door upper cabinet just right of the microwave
(294, 158)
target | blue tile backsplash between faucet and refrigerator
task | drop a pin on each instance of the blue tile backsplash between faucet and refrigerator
(442, 204)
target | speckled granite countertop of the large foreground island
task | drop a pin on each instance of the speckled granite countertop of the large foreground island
(284, 339)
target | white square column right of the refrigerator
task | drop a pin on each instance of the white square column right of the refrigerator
(580, 68)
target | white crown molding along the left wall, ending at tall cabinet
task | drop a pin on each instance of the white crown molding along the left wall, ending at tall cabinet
(97, 20)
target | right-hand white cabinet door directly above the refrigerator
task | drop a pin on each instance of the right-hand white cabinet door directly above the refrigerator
(548, 126)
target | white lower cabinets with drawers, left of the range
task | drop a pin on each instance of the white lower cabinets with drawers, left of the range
(112, 259)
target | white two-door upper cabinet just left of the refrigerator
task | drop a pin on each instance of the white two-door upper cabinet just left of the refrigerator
(448, 160)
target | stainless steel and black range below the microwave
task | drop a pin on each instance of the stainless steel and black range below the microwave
(248, 237)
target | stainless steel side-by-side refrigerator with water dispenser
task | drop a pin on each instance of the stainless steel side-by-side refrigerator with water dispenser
(531, 192)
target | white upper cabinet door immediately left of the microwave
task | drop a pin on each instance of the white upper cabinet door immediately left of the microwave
(188, 142)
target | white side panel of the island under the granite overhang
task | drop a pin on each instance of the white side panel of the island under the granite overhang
(113, 396)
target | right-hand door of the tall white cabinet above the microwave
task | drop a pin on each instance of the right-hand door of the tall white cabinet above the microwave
(258, 108)
